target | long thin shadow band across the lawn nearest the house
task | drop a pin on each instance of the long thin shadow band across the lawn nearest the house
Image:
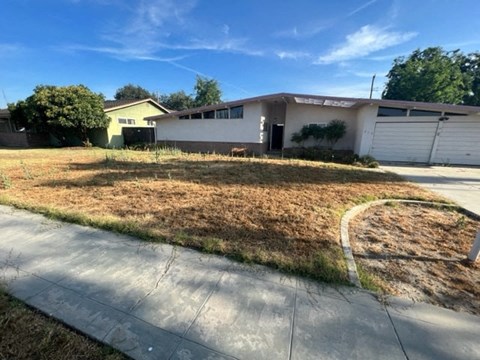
(223, 172)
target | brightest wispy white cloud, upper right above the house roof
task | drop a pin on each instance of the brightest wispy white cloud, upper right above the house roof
(364, 42)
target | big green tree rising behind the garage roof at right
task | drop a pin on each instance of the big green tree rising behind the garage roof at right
(430, 75)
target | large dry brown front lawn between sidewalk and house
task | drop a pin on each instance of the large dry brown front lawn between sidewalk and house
(282, 213)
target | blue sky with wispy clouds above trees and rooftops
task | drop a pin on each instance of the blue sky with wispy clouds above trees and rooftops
(251, 47)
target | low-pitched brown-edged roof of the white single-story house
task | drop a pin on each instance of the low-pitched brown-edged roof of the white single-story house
(331, 101)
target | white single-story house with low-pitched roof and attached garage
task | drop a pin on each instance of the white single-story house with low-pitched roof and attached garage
(389, 130)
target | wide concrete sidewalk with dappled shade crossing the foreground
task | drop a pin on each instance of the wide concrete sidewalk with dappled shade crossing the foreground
(165, 302)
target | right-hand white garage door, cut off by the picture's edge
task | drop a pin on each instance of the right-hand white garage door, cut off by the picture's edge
(458, 143)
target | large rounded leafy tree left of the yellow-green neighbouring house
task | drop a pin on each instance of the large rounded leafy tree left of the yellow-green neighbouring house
(64, 111)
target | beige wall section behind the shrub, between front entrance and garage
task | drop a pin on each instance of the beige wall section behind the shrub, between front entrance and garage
(298, 115)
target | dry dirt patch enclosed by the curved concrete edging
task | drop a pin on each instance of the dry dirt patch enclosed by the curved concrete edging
(417, 252)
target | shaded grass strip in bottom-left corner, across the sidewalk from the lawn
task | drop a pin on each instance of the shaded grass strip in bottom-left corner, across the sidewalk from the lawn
(27, 334)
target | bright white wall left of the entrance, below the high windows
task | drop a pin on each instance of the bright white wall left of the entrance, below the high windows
(246, 130)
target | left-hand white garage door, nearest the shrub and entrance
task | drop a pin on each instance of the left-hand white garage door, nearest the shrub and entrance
(402, 141)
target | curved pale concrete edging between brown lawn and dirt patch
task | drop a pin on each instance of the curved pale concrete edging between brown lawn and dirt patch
(350, 214)
